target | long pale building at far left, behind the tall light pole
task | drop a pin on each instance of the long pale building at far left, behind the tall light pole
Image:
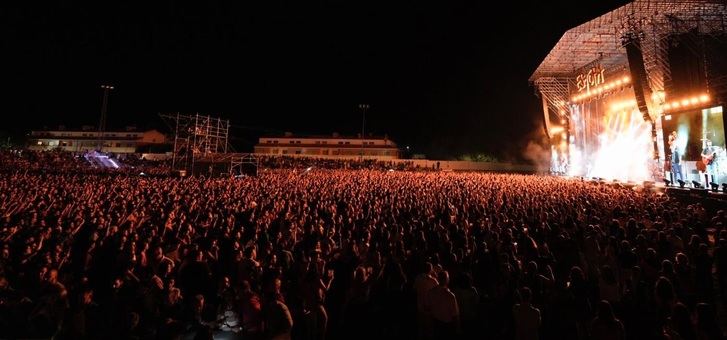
(120, 142)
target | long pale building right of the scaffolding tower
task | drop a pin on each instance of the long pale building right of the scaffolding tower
(333, 146)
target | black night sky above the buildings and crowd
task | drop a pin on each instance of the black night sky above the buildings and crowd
(445, 77)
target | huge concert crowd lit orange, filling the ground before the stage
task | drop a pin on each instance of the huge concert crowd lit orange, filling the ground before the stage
(353, 254)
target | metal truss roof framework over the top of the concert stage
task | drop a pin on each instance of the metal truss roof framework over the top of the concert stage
(600, 39)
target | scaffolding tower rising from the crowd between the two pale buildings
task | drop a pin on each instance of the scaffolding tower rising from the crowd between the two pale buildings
(196, 137)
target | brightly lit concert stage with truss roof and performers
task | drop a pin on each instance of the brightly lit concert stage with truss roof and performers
(615, 89)
